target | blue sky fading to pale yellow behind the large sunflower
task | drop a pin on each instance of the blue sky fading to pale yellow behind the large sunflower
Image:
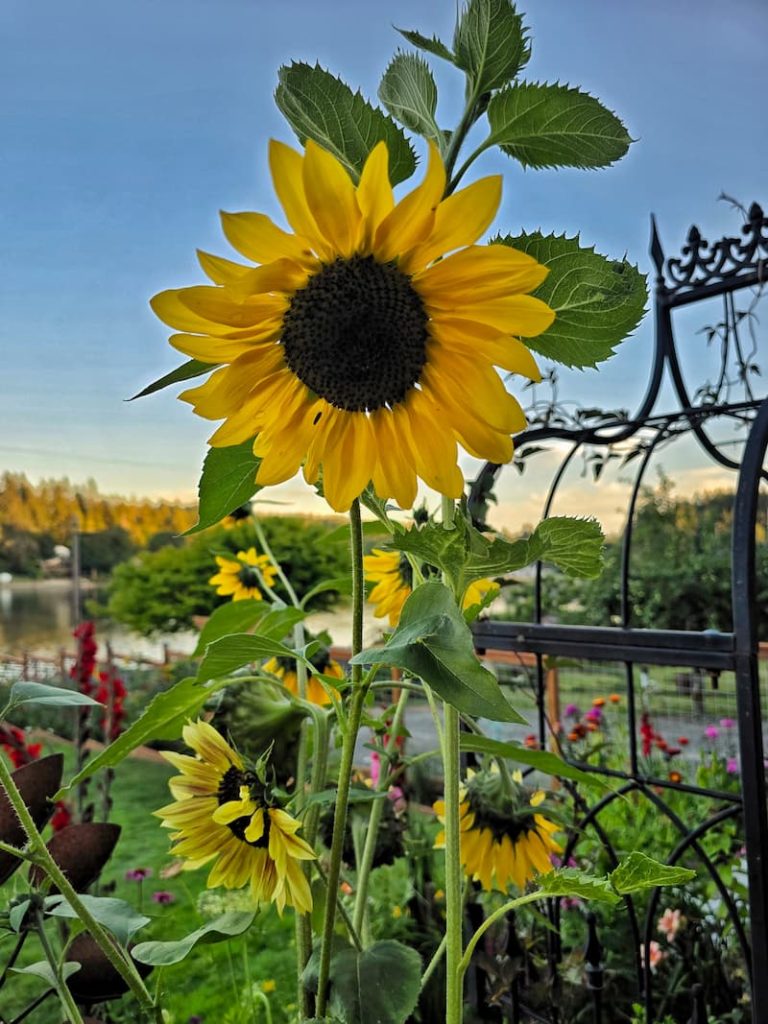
(126, 126)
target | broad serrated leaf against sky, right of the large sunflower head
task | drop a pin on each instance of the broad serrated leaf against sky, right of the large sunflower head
(599, 303)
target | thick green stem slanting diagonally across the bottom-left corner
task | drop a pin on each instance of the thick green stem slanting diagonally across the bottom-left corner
(41, 856)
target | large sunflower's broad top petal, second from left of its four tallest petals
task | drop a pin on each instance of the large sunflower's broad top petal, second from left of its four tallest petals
(330, 196)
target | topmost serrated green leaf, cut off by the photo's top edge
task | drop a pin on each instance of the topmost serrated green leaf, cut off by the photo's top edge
(491, 44)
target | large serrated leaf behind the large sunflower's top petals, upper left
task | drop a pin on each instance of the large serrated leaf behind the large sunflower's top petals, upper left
(321, 107)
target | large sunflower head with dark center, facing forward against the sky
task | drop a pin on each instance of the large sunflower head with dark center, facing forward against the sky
(353, 347)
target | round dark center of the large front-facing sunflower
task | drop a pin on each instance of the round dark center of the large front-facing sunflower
(357, 334)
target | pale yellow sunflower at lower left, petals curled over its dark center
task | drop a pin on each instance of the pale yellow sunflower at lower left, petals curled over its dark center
(223, 812)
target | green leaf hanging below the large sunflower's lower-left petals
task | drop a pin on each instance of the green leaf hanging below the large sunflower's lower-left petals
(229, 481)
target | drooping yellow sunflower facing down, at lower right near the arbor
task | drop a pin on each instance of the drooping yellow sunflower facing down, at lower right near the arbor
(499, 848)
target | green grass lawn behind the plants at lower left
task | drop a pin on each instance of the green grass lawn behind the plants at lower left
(214, 983)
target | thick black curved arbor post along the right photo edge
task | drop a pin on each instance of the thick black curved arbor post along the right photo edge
(748, 700)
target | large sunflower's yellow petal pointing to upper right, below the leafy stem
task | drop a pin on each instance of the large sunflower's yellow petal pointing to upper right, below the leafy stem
(460, 221)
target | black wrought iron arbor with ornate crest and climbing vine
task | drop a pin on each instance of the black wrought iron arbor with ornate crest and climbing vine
(703, 272)
